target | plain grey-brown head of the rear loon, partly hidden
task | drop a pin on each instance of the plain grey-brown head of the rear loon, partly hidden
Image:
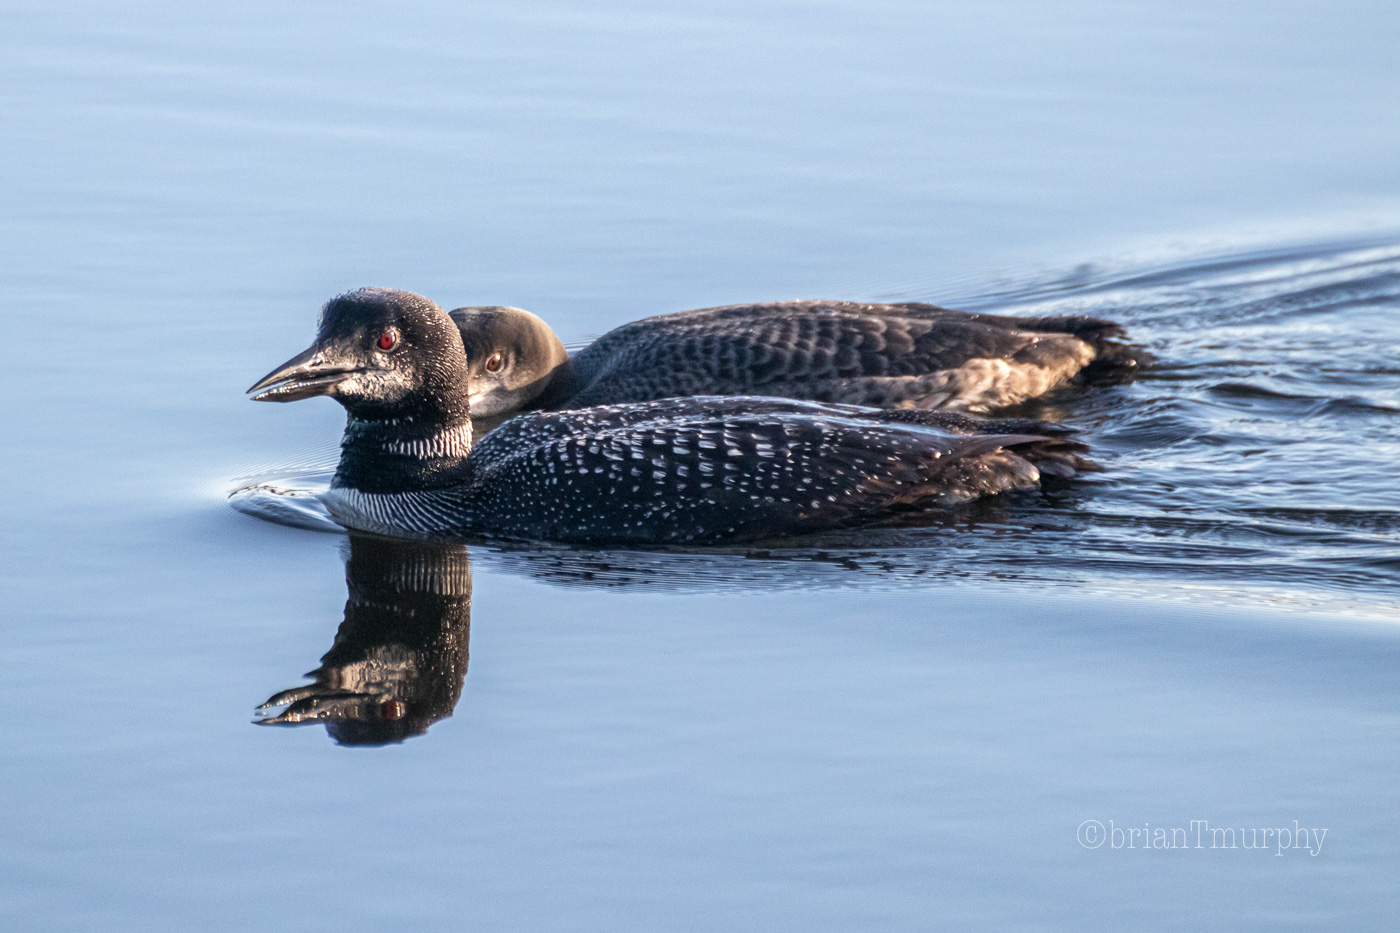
(516, 361)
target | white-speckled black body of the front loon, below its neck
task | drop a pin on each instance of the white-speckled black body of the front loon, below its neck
(709, 470)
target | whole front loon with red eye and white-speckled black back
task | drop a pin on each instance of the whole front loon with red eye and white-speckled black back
(678, 471)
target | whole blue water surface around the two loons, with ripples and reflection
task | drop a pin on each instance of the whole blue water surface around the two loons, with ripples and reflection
(878, 731)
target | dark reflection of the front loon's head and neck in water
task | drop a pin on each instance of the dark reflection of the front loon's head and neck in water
(400, 658)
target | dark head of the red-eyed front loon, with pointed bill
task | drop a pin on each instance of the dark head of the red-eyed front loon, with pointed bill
(381, 354)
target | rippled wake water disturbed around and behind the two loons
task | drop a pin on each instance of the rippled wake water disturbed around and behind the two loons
(1256, 455)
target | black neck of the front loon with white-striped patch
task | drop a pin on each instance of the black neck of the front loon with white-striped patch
(404, 455)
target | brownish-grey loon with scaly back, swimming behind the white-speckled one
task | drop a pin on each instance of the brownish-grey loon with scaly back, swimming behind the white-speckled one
(878, 355)
